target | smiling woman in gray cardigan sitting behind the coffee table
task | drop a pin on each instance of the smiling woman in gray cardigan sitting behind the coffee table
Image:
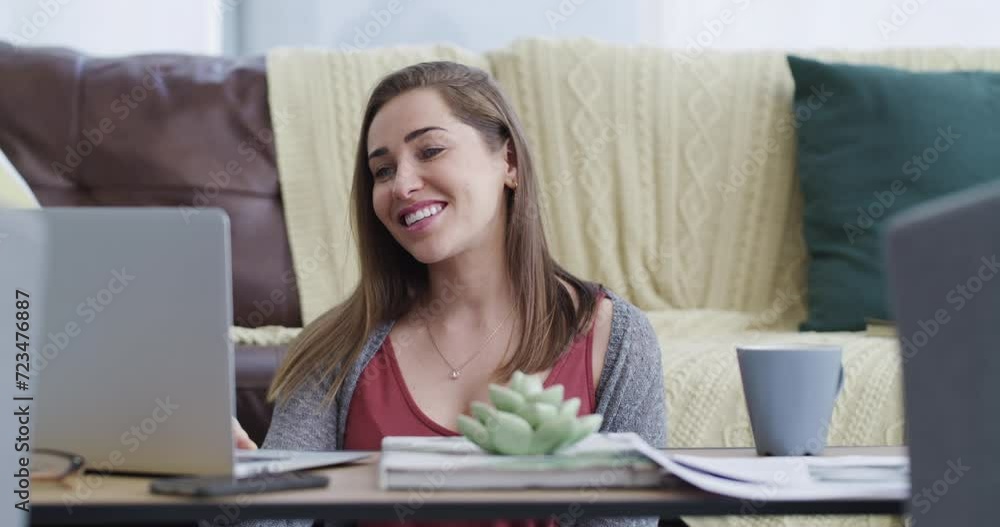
(457, 286)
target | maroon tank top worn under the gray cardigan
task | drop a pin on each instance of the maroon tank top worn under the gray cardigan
(382, 406)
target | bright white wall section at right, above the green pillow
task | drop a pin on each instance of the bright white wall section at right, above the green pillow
(858, 24)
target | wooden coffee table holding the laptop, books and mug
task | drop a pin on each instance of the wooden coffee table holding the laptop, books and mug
(352, 494)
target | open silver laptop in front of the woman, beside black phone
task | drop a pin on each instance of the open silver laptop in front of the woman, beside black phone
(132, 365)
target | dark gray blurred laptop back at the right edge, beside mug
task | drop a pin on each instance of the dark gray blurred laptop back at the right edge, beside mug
(943, 260)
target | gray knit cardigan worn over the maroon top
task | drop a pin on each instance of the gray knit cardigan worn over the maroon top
(630, 396)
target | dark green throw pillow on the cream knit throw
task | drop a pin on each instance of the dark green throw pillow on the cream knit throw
(872, 142)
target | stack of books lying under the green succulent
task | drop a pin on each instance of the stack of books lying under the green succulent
(455, 463)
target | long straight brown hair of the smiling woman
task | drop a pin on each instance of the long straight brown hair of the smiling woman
(392, 280)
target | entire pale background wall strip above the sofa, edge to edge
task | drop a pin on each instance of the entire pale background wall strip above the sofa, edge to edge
(110, 27)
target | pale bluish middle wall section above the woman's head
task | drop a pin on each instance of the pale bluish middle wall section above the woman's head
(475, 25)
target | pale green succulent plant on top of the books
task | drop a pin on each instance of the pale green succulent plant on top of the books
(527, 419)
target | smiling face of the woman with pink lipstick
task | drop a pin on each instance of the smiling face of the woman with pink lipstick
(437, 186)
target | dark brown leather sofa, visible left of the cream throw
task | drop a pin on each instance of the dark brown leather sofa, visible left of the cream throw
(163, 130)
